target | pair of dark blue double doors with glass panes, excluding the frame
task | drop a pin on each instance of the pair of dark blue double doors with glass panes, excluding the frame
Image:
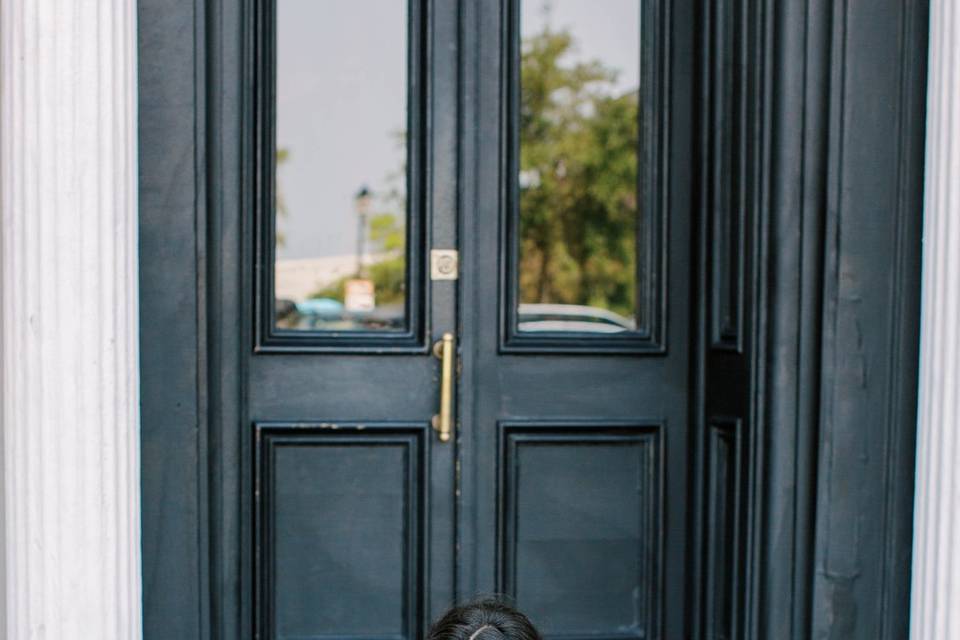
(529, 153)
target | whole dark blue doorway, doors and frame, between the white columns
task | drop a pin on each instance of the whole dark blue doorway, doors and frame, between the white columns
(665, 228)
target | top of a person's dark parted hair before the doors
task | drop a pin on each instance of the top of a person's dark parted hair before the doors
(487, 619)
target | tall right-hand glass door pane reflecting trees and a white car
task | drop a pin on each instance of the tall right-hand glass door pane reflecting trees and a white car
(579, 139)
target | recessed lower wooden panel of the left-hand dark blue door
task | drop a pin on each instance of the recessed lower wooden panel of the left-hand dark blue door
(339, 508)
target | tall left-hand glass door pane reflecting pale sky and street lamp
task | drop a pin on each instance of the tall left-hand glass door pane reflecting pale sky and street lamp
(341, 210)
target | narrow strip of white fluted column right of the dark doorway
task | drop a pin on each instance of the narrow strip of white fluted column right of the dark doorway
(935, 603)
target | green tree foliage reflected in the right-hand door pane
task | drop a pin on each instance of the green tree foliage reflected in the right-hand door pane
(578, 179)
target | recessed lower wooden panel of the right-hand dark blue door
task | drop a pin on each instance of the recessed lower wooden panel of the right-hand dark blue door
(581, 523)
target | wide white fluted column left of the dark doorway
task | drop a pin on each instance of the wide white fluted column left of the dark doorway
(69, 313)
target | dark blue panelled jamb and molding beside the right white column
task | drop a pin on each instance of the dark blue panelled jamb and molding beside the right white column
(828, 190)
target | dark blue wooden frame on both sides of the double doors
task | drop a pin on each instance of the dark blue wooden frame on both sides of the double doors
(808, 251)
